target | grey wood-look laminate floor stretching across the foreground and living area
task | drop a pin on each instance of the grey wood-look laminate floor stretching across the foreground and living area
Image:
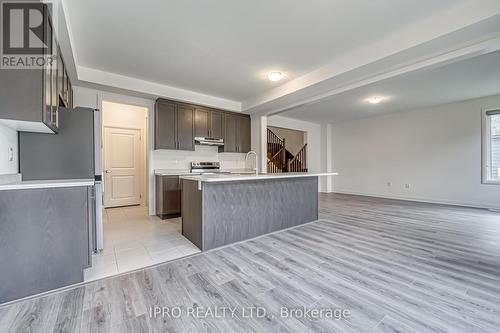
(396, 266)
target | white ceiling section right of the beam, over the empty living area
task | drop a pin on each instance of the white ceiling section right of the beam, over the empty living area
(467, 79)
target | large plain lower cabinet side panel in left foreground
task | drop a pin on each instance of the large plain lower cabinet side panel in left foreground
(44, 239)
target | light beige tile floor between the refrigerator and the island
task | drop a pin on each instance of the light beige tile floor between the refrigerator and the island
(134, 240)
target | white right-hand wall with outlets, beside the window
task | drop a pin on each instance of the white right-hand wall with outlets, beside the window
(436, 150)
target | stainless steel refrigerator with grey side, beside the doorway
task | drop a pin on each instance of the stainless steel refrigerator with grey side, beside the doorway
(72, 153)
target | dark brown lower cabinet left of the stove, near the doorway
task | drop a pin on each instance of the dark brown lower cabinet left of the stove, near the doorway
(168, 196)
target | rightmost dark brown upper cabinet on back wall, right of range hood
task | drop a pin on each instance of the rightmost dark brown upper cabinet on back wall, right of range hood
(237, 133)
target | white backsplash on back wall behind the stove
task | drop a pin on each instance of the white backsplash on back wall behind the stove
(180, 159)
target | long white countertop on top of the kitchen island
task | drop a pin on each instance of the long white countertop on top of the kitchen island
(212, 178)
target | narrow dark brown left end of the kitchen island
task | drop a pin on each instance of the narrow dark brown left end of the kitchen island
(191, 211)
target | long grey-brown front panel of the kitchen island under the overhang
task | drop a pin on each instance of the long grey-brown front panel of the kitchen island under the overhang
(238, 210)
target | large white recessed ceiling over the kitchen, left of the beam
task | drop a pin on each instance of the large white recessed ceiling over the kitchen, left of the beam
(224, 48)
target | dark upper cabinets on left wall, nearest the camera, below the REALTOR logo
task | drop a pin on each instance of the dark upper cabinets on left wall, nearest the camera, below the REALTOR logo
(30, 99)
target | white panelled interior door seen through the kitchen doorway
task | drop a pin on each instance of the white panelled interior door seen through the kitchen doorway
(122, 164)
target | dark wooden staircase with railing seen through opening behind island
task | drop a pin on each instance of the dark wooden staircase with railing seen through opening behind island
(279, 159)
